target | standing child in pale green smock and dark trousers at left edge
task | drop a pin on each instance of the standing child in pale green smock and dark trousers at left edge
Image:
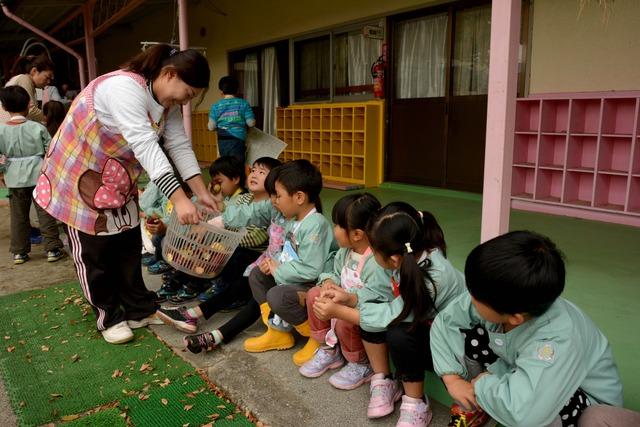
(25, 143)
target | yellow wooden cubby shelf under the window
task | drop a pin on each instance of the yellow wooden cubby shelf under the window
(344, 140)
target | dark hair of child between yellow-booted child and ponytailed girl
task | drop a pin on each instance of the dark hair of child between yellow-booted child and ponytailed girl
(353, 211)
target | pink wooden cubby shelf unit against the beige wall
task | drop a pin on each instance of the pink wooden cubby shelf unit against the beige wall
(578, 154)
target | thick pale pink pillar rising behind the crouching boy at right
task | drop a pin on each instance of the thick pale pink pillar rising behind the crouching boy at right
(501, 110)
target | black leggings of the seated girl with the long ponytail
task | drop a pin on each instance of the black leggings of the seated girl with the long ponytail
(409, 349)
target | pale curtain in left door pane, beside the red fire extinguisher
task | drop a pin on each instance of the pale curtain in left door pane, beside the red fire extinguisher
(421, 57)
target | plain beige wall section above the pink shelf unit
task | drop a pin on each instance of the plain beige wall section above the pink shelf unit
(574, 52)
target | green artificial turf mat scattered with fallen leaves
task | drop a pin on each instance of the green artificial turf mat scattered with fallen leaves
(55, 364)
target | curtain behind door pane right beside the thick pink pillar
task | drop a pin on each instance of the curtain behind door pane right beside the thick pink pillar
(471, 51)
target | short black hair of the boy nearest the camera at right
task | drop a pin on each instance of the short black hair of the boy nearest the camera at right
(518, 272)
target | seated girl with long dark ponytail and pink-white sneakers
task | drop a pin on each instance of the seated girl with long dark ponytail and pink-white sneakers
(423, 282)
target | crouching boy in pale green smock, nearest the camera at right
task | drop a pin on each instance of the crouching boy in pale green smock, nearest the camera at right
(513, 348)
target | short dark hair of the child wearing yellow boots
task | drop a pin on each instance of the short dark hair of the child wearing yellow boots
(302, 175)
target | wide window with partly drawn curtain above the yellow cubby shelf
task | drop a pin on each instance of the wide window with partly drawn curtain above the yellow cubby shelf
(337, 65)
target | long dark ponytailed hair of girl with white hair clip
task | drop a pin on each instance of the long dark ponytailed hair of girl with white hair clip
(394, 232)
